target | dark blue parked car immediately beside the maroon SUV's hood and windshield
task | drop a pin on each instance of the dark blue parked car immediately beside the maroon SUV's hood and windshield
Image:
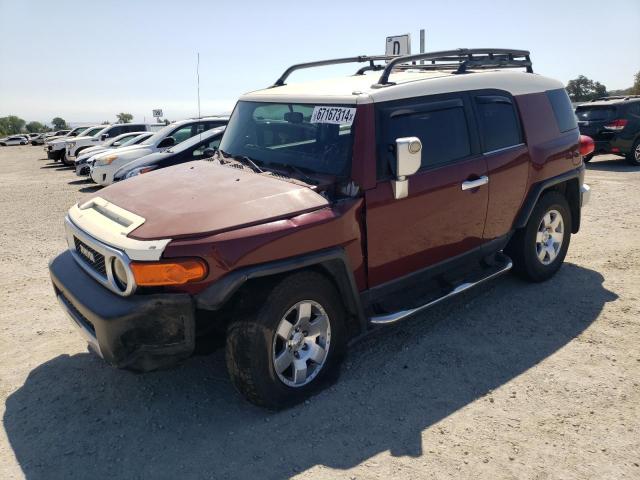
(198, 147)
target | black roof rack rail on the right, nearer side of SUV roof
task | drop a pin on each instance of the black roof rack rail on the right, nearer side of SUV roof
(465, 58)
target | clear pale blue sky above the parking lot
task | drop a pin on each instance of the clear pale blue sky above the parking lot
(86, 61)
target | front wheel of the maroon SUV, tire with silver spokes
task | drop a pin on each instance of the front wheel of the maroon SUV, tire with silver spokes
(256, 341)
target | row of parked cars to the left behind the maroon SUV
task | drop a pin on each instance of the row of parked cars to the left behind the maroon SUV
(111, 153)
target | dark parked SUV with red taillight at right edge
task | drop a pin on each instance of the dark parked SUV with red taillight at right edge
(614, 125)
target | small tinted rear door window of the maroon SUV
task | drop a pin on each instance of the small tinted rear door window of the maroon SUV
(499, 126)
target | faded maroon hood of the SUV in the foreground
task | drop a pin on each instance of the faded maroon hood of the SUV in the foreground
(202, 197)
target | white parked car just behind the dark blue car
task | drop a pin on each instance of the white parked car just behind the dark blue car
(107, 164)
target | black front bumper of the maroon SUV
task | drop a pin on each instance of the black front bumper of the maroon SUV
(140, 332)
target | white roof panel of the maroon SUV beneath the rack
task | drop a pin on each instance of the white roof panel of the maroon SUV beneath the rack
(359, 89)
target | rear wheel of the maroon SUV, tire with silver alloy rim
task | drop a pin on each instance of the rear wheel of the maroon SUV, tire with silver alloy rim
(533, 259)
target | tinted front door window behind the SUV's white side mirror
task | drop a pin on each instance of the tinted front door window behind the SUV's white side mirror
(441, 127)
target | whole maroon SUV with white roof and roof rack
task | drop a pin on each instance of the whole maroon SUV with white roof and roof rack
(331, 208)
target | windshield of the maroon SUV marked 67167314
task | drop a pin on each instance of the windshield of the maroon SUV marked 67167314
(314, 137)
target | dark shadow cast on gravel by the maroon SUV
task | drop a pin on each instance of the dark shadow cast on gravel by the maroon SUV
(76, 416)
